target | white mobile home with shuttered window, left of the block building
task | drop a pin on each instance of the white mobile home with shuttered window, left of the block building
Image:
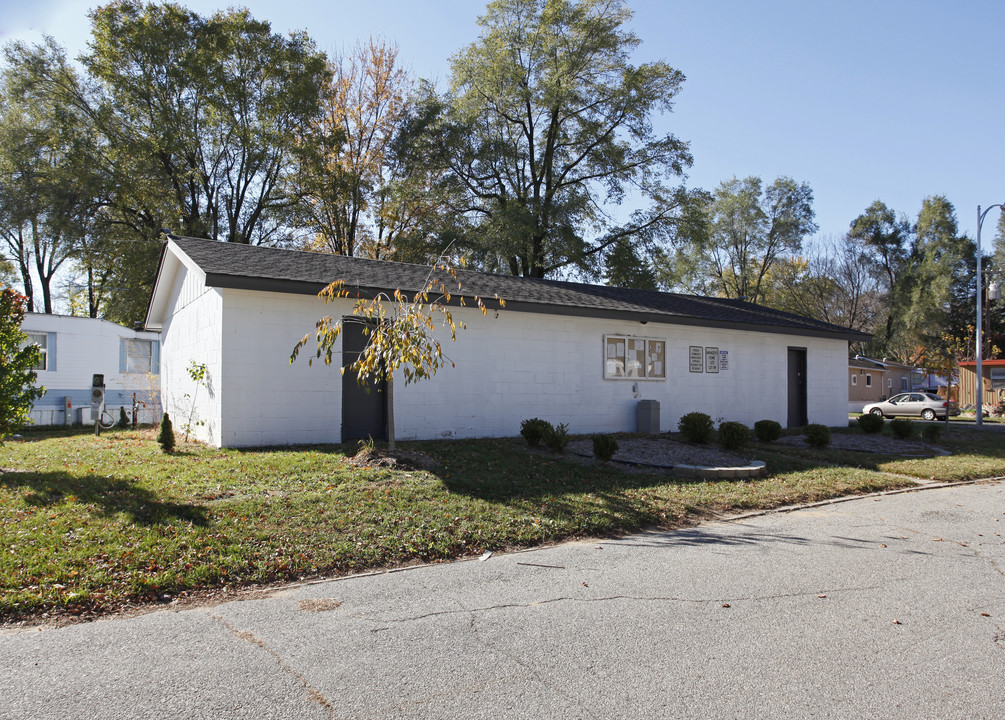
(73, 350)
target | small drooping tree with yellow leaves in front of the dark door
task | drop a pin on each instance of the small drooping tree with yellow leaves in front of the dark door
(399, 332)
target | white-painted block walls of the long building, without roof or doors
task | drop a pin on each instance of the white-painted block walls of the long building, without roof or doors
(509, 369)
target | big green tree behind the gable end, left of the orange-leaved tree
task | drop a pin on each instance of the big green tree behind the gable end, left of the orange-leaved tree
(209, 110)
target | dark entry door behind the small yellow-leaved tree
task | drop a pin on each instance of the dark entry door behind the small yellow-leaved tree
(364, 408)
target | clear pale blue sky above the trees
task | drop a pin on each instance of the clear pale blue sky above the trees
(893, 100)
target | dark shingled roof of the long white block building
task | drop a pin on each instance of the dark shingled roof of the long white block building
(230, 265)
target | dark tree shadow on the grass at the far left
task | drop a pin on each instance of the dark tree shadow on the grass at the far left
(112, 495)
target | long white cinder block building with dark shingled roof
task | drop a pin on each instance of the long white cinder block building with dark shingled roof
(566, 352)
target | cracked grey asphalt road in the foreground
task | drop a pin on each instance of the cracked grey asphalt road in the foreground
(880, 608)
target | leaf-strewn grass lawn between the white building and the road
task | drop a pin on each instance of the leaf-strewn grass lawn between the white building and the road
(90, 525)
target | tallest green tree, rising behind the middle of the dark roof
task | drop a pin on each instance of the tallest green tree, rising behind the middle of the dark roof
(548, 125)
